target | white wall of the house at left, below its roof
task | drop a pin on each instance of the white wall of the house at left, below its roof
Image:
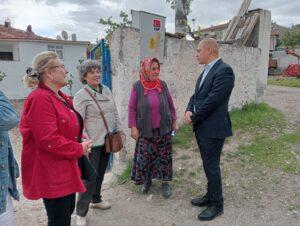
(12, 85)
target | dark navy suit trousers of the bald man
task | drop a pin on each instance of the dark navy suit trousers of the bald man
(210, 150)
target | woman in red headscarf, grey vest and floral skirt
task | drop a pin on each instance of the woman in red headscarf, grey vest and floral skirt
(152, 117)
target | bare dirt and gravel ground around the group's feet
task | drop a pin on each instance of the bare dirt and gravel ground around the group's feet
(252, 196)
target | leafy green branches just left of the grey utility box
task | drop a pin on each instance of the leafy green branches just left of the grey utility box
(112, 25)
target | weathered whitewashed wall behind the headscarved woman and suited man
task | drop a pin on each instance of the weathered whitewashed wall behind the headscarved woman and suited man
(179, 69)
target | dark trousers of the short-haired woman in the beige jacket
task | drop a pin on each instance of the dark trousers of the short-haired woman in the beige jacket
(99, 158)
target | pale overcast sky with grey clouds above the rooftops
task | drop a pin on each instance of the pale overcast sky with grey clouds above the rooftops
(49, 17)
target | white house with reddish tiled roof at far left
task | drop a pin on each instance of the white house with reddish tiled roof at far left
(18, 48)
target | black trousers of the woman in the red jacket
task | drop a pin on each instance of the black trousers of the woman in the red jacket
(59, 210)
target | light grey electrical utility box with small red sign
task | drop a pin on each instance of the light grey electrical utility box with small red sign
(152, 28)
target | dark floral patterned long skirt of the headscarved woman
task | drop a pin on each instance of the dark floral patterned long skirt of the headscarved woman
(153, 158)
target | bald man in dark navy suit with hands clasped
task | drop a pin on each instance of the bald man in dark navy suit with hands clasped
(207, 111)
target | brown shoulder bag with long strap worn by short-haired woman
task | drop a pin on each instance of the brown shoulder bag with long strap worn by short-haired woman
(113, 141)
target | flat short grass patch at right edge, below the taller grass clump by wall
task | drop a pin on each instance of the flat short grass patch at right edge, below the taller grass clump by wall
(274, 153)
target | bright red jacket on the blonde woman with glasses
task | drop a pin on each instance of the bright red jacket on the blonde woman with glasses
(50, 148)
